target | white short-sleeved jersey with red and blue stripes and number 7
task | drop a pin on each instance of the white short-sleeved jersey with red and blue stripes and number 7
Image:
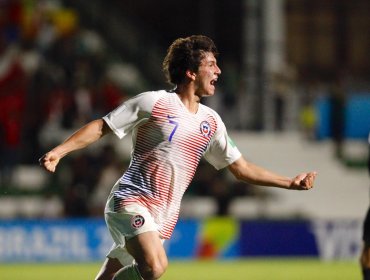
(168, 143)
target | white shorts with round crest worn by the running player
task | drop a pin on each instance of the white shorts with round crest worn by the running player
(130, 221)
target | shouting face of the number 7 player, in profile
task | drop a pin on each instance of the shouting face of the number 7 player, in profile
(207, 76)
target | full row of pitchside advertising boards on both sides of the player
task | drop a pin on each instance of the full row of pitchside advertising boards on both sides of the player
(85, 240)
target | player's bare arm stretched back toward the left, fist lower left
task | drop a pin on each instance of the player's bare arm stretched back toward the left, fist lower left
(83, 137)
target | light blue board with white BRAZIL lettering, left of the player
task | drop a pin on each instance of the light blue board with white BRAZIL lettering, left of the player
(55, 240)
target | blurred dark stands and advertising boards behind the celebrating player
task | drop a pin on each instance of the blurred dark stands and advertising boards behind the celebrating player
(294, 94)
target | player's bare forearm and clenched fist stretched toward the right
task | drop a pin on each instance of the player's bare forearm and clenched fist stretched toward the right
(253, 174)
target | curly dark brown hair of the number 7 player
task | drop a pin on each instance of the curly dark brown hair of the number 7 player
(186, 54)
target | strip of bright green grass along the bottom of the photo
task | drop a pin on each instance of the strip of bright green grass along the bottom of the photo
(274, 269)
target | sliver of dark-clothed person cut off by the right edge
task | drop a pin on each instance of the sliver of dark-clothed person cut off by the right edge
(365, 254)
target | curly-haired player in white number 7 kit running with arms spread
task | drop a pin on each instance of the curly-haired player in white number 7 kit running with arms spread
(171, 132)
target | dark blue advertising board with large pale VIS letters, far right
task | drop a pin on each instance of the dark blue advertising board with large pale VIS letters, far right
(326, 239)
